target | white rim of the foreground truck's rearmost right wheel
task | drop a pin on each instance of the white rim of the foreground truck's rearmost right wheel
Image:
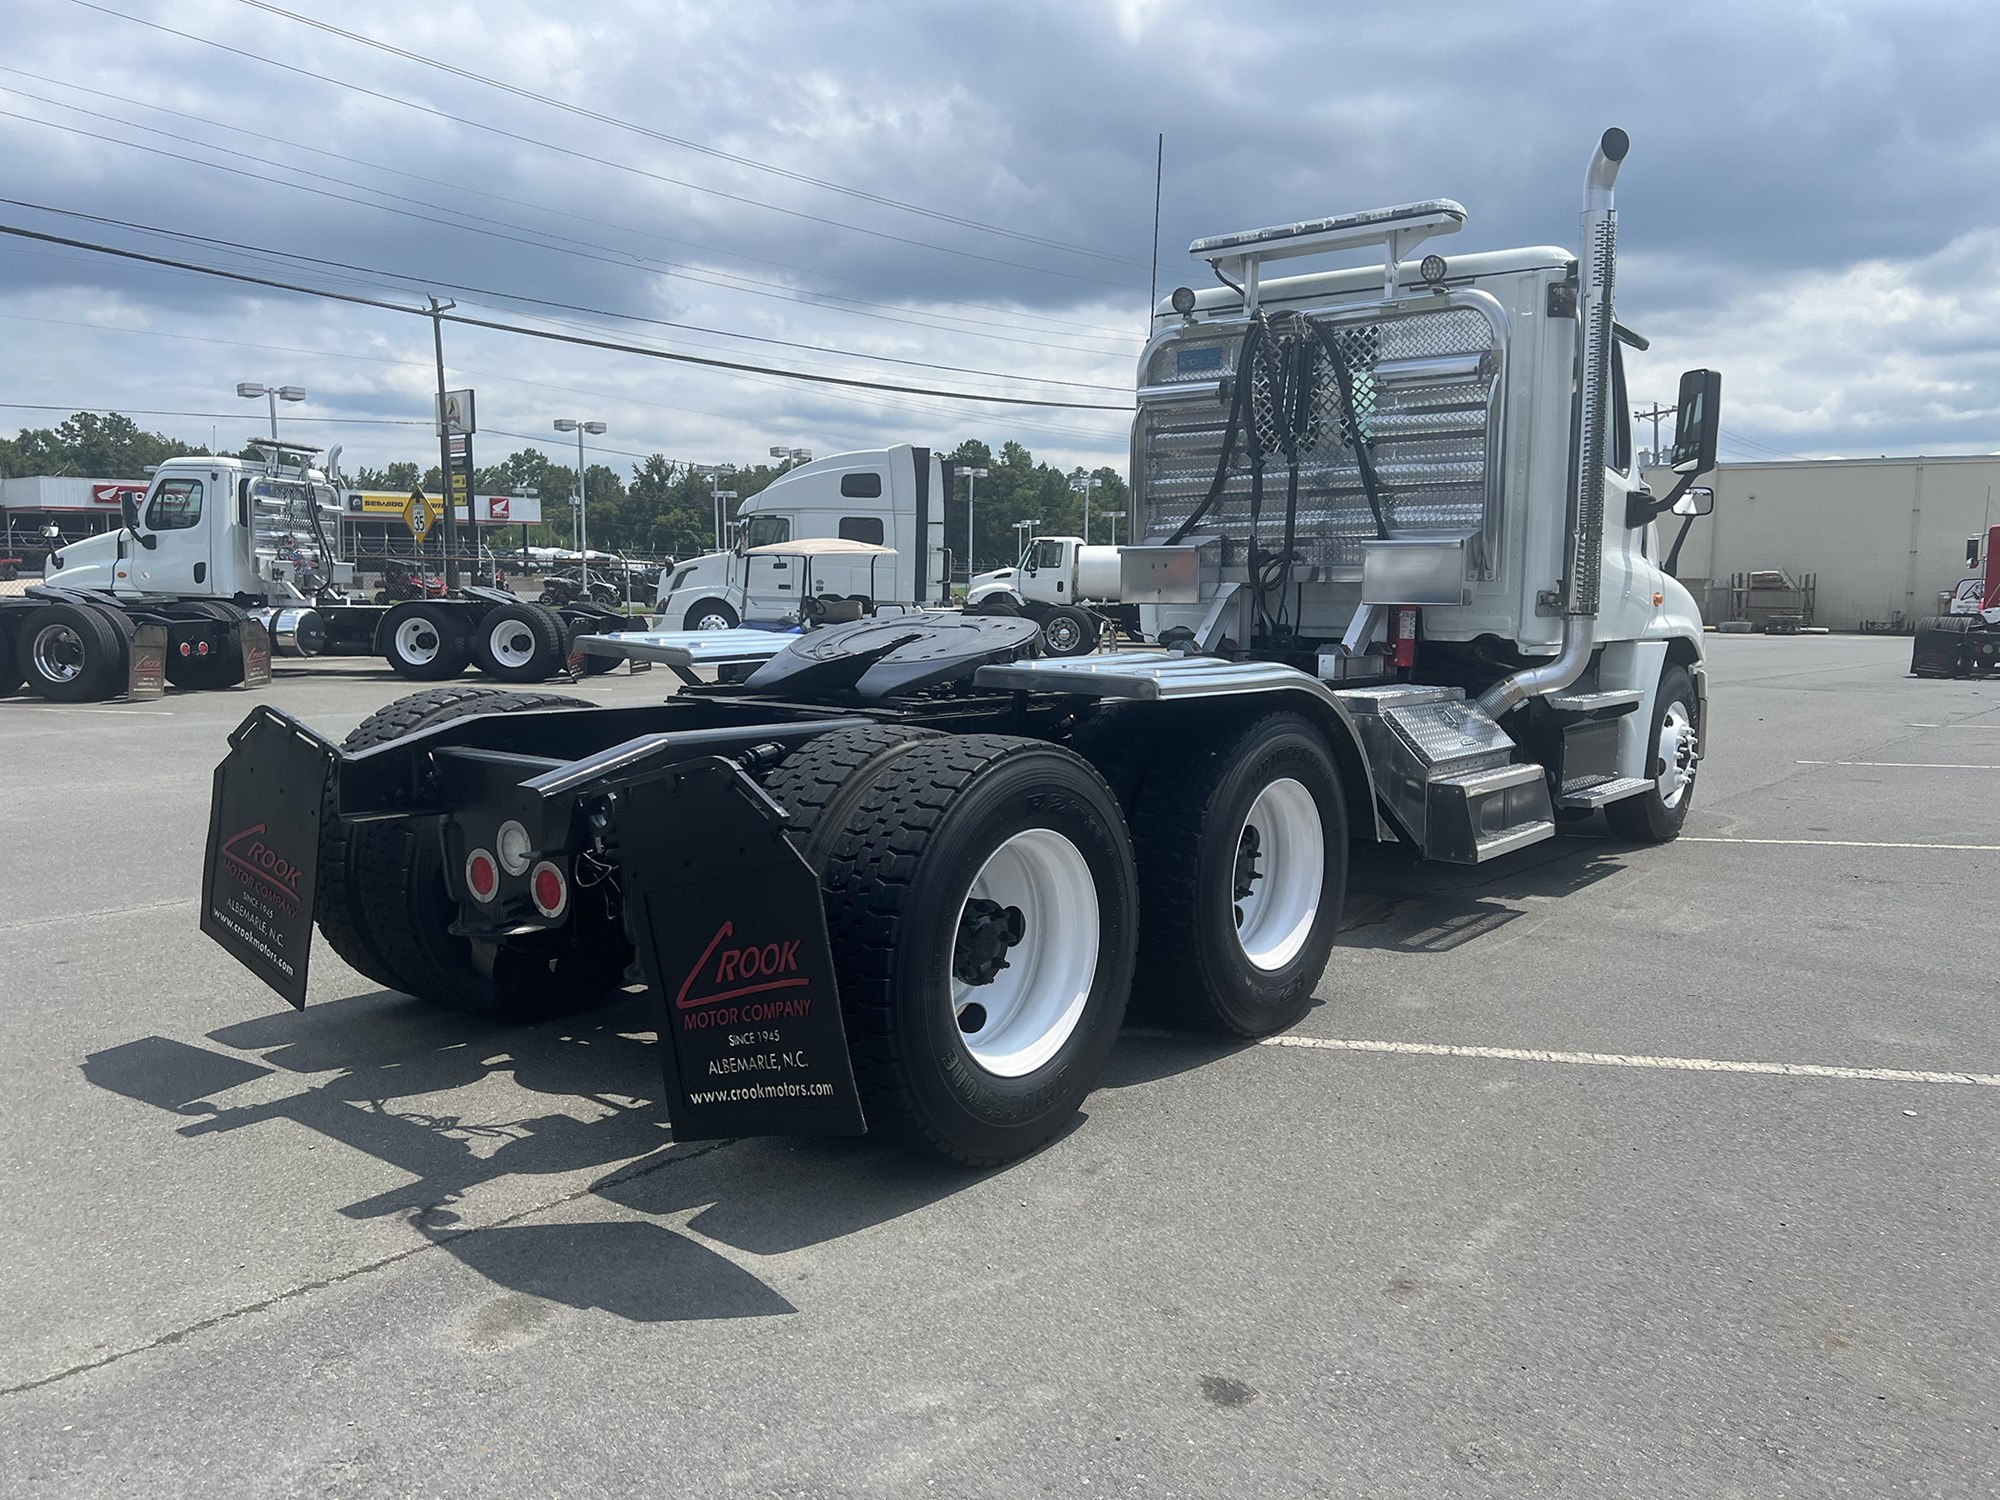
(1027, 1011)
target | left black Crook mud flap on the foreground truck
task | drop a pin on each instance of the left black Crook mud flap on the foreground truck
(265, 849)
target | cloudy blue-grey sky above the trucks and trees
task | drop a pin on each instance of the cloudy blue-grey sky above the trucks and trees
(957, 197)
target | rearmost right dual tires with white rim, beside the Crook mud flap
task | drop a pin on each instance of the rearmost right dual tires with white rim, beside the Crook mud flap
(983, 911)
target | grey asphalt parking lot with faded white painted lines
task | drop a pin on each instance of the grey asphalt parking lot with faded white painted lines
(1597, 1173)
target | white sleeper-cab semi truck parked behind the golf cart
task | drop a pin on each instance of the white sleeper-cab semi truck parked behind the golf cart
(889, 497)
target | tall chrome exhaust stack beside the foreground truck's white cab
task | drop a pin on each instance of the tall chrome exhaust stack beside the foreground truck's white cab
(1597, 269)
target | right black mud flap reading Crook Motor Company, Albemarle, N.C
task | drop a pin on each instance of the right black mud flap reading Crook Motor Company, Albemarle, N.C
(733, 935)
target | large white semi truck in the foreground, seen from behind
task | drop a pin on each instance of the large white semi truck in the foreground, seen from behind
(907, 873)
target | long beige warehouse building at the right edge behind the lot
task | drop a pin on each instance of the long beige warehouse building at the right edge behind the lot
(1883, 535)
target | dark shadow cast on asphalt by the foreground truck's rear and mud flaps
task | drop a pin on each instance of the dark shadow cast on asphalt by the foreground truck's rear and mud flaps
(439, 1097)
